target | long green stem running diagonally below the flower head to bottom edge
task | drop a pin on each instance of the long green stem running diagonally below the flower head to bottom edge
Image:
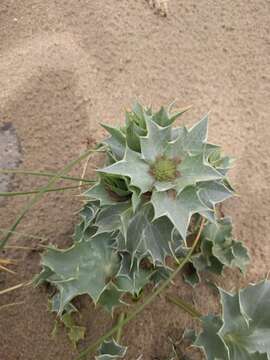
(149, 300)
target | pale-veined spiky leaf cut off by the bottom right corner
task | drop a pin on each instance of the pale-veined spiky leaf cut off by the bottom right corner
(243, 333)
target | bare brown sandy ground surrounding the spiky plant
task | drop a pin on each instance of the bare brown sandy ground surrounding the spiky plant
(64, 67)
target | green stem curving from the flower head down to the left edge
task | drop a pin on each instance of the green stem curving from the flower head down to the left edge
(42, 191)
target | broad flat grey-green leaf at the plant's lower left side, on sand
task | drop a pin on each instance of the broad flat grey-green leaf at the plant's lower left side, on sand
(84, 268)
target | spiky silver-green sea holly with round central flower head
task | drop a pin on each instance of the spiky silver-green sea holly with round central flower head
(154, 207)
